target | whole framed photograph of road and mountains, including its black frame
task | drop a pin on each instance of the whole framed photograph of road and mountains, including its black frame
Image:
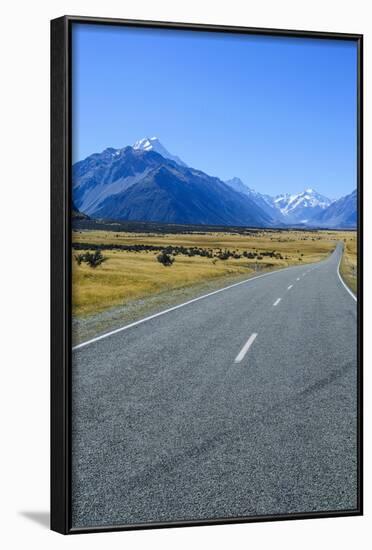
(206, 274)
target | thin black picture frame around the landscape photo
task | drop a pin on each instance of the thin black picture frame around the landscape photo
(61, 268)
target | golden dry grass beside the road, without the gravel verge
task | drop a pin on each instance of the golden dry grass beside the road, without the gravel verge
(127, 275)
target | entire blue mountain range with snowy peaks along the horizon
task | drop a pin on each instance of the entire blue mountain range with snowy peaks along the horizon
(146, 182)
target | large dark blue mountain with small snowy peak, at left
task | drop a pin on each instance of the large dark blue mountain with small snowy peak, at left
(140, 184)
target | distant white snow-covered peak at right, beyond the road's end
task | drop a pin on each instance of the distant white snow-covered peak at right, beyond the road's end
(302, 207)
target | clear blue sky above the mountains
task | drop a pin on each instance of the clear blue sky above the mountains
(280, 113)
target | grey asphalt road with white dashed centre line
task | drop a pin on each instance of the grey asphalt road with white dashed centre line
(238, 404)
